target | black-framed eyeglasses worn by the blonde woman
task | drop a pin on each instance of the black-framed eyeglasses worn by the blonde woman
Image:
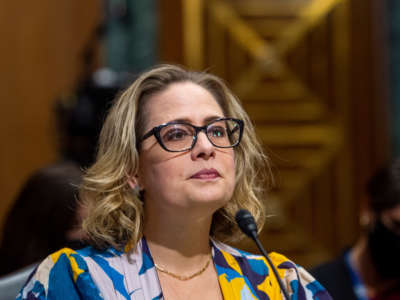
(180, 136)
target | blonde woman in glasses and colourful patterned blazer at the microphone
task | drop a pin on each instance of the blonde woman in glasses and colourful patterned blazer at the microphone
(178, 156)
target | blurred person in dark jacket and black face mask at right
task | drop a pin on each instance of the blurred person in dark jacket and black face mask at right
(370, 270)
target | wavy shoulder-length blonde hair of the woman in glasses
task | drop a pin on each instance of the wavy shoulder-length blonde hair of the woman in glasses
(115, 211)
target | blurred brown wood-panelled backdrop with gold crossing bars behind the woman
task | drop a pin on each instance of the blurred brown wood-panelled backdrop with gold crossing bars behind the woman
(320, 79)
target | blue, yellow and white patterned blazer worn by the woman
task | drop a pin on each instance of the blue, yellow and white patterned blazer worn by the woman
(112, 274)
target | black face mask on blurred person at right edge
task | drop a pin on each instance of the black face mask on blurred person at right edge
(384, 246)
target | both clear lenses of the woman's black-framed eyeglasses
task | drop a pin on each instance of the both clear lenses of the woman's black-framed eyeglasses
(178, 137)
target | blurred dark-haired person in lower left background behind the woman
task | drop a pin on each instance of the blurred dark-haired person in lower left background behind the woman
(44, 217)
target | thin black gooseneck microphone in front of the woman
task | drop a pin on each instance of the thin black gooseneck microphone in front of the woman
(248, 226)
